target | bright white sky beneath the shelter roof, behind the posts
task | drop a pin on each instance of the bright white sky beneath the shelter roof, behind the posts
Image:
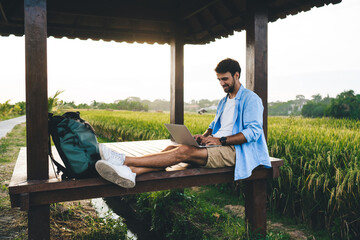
(314, 52)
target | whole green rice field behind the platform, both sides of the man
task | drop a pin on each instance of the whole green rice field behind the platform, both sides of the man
(319, 183)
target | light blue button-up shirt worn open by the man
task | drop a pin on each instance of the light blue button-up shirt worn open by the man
(248, 119)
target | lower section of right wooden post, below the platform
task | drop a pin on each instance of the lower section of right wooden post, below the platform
(255, 207)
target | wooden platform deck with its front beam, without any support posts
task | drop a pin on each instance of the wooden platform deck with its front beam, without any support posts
(54, 190)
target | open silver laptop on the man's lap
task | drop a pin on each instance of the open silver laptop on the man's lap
(182, 135)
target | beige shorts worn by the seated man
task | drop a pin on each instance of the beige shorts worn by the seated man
(223, 156)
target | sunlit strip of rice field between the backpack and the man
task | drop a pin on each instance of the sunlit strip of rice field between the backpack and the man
(118, 126)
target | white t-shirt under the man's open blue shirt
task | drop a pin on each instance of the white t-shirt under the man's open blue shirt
(226, 119)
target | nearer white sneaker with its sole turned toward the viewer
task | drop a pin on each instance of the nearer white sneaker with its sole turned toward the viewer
(118, 174)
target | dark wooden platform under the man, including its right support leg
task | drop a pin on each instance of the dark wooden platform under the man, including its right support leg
(26, 194)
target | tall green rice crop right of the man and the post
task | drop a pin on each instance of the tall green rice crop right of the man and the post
(320, 180)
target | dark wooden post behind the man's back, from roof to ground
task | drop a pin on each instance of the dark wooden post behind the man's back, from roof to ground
(256, 80)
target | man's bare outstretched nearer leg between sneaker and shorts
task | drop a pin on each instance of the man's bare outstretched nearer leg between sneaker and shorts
(183, 153)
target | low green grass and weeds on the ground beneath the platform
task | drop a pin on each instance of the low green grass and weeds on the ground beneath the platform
(196, 213)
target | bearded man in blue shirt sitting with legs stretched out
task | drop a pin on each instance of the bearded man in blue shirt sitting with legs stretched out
(237, 127)
